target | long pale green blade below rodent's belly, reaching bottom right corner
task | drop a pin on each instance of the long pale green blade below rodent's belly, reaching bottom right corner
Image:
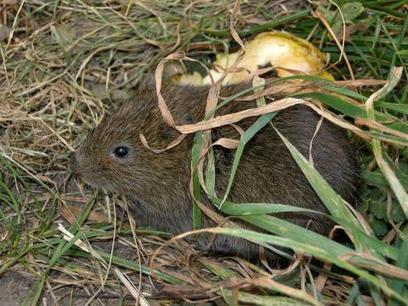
(337, 255)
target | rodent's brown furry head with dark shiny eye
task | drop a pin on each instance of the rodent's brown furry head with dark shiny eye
(114, 158)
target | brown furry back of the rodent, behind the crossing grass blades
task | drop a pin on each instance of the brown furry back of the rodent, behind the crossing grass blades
(266, 158)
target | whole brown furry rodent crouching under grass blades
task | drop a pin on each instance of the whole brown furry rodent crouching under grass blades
(113, 157)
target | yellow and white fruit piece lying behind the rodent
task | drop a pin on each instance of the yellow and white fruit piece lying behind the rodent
(290, 55)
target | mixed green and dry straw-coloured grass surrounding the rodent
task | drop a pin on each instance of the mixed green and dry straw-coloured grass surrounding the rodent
(65, 64)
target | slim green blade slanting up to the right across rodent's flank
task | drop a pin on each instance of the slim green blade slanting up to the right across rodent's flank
(261, 122)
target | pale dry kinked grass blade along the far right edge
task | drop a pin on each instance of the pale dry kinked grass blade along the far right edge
(392, 179)
